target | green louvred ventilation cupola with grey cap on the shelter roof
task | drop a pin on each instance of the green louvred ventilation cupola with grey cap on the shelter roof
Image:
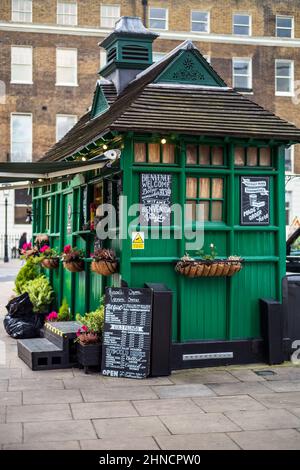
(128, 49)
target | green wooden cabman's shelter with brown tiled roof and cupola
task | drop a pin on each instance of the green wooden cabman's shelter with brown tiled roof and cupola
(176, 126)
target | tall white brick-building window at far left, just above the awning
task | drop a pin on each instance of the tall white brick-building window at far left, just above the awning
(21, 137)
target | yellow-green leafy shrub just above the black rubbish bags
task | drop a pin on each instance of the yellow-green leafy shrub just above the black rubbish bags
(40, 293)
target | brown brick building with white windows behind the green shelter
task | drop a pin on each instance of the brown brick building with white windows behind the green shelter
(249, 42)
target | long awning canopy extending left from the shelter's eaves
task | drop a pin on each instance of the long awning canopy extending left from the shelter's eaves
(41, 172)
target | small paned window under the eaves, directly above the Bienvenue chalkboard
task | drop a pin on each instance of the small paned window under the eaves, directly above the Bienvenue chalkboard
(154, 153)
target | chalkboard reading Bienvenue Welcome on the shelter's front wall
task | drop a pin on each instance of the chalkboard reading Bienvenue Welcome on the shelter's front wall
(155, 198)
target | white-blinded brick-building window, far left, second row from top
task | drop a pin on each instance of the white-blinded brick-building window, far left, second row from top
(21, 65)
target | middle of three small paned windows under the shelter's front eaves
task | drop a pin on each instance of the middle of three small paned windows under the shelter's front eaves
(205, 155)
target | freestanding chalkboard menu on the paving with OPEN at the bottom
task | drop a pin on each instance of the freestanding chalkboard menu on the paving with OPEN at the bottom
(127, 332)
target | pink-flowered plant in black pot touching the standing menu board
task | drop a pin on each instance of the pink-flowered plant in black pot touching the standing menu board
(89, 339)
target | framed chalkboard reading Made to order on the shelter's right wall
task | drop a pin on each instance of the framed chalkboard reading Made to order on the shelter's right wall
(255, 200)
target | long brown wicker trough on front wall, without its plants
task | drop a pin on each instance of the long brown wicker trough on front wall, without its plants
(208, 268)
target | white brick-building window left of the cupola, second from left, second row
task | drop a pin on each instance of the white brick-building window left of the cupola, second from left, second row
(66, 67)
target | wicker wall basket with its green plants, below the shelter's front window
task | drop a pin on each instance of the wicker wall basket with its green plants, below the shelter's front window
(208, 265)
